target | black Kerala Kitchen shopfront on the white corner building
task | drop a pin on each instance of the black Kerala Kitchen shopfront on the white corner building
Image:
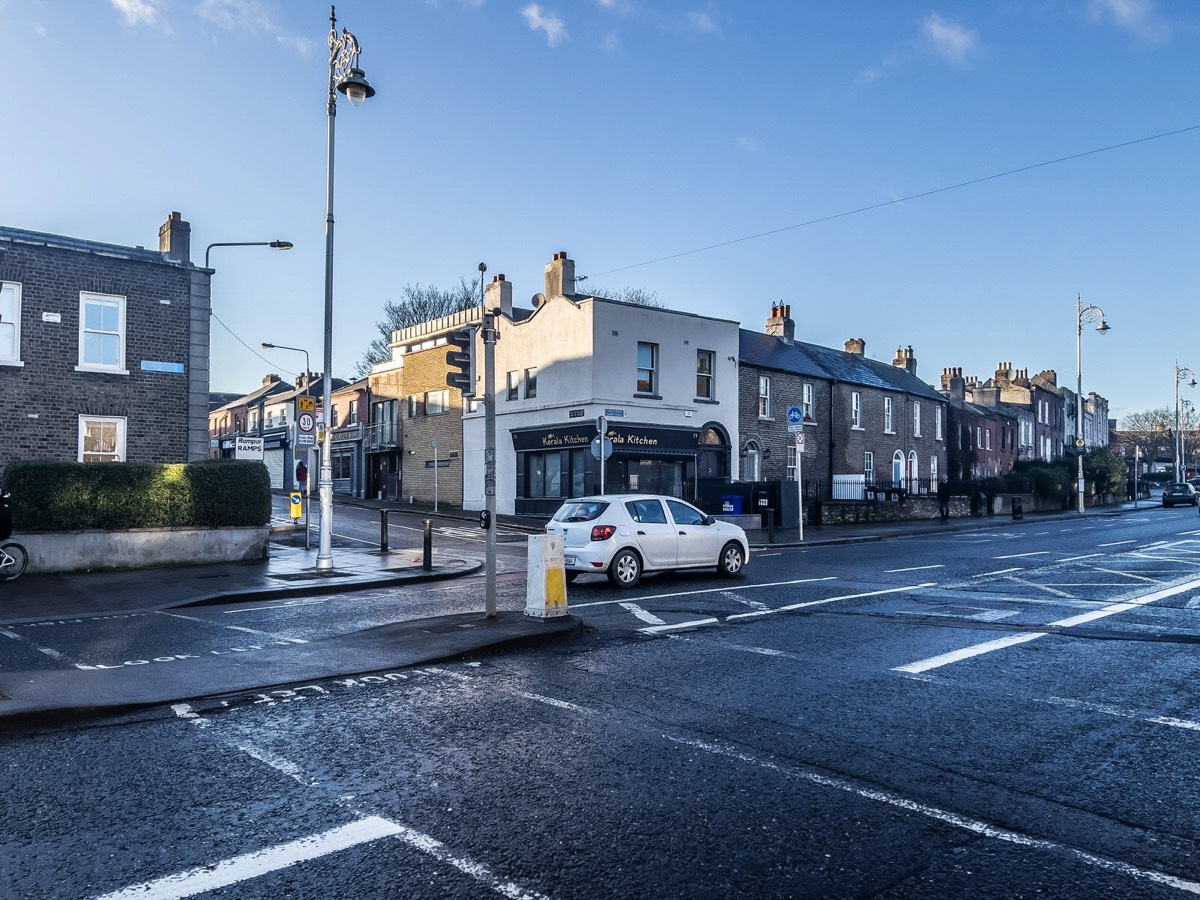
(556, 464)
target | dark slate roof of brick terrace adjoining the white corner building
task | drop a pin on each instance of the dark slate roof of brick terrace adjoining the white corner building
(817, 362)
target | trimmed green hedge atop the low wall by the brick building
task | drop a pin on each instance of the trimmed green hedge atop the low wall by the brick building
(79, 496)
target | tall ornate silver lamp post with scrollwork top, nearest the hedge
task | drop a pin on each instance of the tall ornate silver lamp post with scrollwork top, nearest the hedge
(345, 77)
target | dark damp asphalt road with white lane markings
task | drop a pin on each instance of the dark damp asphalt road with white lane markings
(1004, 713)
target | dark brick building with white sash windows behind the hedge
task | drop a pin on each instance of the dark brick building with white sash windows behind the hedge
(104, 349)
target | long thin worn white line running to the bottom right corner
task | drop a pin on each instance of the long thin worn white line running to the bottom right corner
(953, 819)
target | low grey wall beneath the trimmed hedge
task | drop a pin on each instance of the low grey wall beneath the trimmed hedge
(142, 548)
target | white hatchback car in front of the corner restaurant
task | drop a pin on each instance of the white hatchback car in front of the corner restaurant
(625, 536)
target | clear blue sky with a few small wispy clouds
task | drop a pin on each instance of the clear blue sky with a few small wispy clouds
(633, 134)
